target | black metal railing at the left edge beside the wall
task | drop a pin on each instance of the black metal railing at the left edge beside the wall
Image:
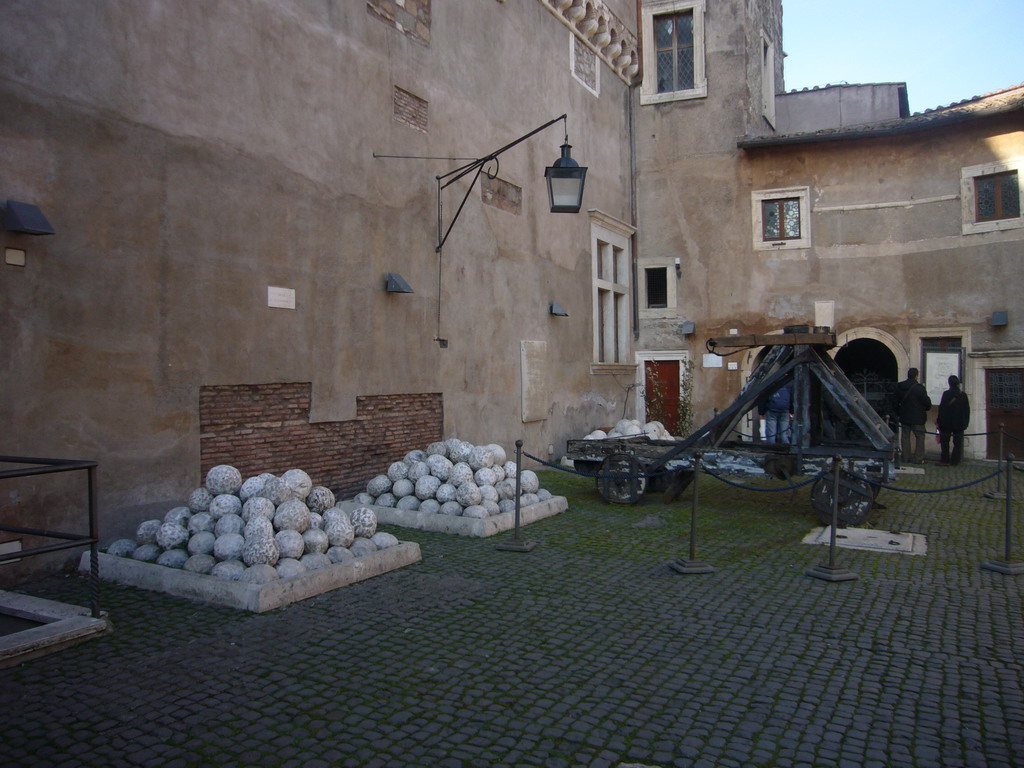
(70, 541)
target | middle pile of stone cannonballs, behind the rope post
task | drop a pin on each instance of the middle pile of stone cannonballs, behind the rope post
(454, 478)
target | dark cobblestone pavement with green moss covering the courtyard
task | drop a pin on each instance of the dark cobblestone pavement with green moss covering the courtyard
(587, 652)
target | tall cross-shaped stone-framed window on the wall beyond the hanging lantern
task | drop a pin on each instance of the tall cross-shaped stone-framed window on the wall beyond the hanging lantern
(612, 270)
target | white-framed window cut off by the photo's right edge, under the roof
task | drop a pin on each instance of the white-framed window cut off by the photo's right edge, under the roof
(991, 196)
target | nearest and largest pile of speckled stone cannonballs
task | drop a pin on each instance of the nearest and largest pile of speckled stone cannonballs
(258, 531)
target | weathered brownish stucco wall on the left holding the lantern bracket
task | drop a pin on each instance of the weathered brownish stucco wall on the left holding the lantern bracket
(192, 156)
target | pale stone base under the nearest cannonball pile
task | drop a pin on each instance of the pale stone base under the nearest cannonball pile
(254, 598)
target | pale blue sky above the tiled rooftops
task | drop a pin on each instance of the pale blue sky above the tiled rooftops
(945, 51)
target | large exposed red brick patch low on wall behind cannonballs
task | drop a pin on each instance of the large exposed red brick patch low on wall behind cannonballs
(266, 429)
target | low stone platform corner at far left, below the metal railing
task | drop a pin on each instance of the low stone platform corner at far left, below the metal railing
(60, 627)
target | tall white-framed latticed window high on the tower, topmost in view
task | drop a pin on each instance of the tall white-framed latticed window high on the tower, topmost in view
(673, 52)
